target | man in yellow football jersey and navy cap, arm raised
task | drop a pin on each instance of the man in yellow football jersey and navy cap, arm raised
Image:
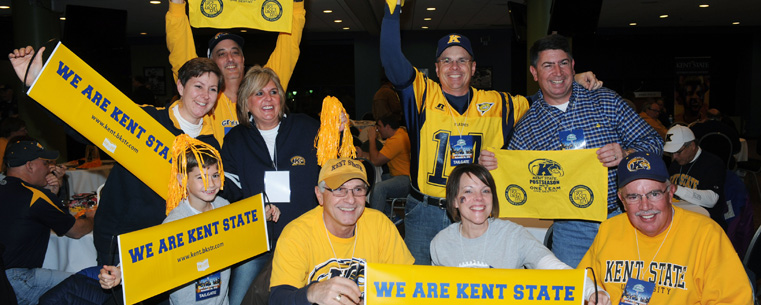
(449, 123)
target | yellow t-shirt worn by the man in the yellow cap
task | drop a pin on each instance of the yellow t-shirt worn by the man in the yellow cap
(304, 254)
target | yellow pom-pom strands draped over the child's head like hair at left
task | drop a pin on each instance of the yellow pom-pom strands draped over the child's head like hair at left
(188, 153)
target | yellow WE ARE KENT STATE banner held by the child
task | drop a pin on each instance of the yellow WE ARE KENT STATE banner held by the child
(184, 250)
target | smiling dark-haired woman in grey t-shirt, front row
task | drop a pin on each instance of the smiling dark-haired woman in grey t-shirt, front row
(479, 240)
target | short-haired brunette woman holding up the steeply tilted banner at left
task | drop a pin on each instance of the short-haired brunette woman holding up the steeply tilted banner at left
(128, 204)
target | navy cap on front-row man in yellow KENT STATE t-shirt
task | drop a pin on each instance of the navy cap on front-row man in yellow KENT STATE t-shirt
(641, 165)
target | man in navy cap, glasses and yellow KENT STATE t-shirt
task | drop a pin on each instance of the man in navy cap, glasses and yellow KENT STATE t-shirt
(677, 256)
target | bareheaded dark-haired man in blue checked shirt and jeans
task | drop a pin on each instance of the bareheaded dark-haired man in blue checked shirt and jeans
(564, 115)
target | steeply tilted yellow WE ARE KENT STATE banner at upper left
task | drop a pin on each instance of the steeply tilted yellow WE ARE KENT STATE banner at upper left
(87, 102)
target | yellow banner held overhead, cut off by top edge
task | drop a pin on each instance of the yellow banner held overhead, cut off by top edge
(267, 15)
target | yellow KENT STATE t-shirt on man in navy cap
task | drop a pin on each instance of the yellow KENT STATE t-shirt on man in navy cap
(694, 263)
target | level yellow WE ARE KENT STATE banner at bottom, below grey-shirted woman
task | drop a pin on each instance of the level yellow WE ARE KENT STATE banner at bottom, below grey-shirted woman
(432, 285)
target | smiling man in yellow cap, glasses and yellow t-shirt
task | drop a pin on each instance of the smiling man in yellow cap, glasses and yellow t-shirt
(321, 256)
